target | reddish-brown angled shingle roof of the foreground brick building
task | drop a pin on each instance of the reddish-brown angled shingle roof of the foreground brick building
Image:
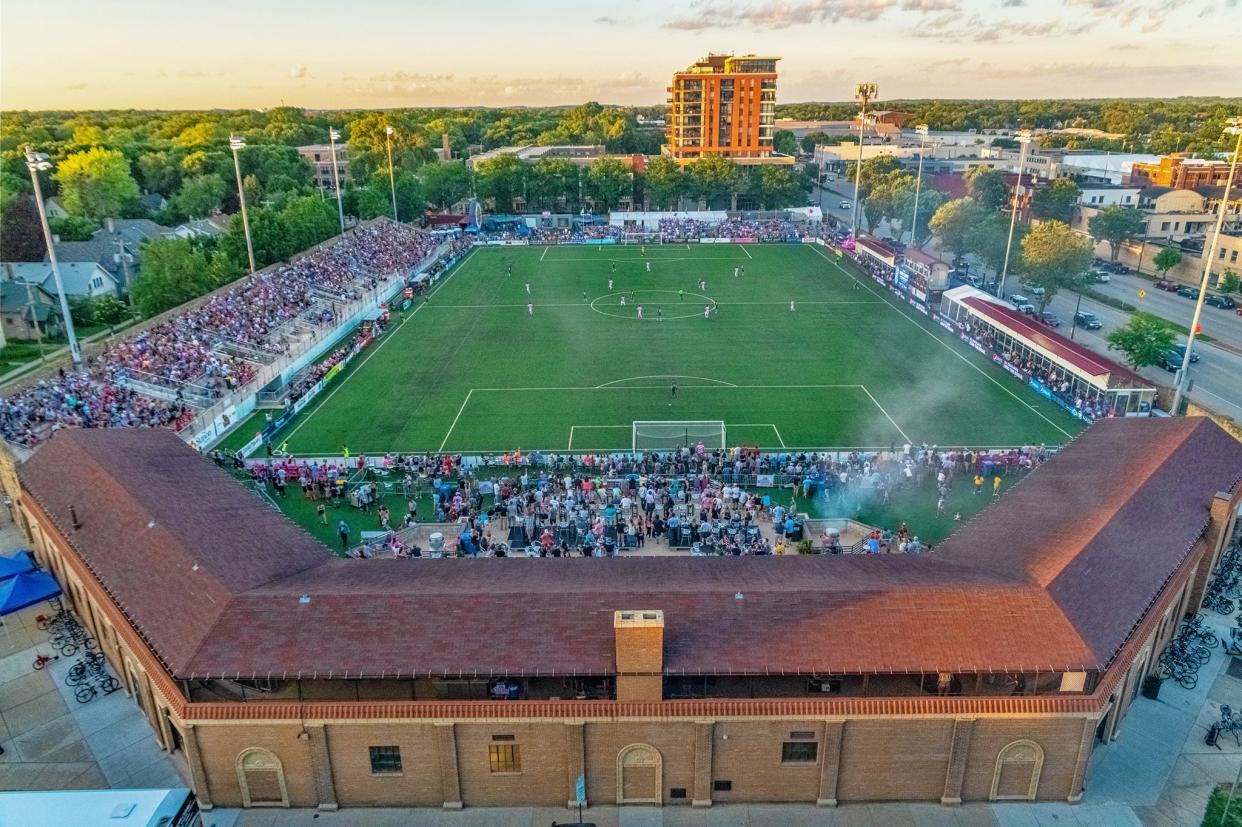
(1054, 577)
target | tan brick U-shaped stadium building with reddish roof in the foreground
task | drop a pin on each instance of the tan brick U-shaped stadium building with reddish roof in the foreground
(289, 677)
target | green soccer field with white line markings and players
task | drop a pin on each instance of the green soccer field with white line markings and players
(475, 371)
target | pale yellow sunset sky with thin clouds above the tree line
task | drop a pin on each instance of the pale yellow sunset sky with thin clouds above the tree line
(378, 54)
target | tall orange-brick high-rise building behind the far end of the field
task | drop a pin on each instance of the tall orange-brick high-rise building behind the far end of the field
(725, 106)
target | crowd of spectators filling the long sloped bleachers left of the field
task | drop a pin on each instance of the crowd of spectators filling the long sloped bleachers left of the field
(198, 353)
